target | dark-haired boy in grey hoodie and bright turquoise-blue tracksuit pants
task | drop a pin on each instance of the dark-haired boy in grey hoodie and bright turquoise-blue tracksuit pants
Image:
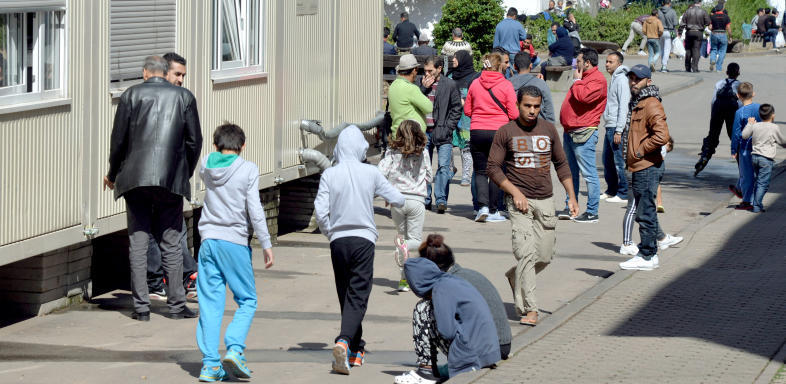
(232, 205)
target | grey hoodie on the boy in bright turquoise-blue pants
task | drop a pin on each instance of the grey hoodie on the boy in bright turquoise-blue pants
(232, 203)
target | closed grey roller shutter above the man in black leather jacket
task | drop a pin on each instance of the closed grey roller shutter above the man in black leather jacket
(139, 28)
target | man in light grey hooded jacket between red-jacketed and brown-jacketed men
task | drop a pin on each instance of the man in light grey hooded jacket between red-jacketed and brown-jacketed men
(615, 117)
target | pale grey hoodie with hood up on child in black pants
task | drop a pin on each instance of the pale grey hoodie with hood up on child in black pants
(345, 201)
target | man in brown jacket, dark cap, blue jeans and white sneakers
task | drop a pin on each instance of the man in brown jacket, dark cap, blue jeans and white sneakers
(645, 134)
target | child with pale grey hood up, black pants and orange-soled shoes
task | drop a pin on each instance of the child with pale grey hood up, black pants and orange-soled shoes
(344, 208)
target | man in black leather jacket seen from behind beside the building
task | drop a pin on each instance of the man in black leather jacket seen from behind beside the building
(154, 149)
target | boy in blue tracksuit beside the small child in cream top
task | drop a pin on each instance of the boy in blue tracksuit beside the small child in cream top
(741, 149)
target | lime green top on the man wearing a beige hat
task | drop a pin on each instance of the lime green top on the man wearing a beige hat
(406, 101)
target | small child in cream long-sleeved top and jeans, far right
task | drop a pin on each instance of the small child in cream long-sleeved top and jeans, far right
(764, 136)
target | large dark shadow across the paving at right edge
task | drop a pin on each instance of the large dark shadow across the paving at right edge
(735, 298)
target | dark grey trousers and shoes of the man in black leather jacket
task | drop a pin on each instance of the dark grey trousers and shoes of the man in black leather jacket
(154, 208)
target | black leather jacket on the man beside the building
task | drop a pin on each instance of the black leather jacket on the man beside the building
(156, 138)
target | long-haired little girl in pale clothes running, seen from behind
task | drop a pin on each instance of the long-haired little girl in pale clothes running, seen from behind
(407, 166)
